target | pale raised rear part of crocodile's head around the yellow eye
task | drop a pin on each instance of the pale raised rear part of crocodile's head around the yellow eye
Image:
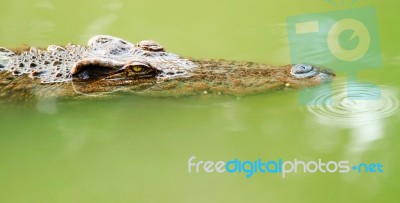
(112, 64)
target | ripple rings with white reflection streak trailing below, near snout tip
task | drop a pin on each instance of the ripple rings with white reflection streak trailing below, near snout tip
(360, 107)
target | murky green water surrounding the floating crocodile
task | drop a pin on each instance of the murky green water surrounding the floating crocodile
(136, 149)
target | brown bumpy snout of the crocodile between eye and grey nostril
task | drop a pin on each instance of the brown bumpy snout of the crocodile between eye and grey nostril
(230, 77)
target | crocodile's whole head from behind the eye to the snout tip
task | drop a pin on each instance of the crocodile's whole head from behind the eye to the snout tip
(111, 64)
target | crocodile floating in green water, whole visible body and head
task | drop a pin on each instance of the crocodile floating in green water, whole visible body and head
(110, 64)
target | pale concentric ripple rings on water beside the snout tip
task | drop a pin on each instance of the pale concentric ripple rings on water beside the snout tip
(353, 104)
